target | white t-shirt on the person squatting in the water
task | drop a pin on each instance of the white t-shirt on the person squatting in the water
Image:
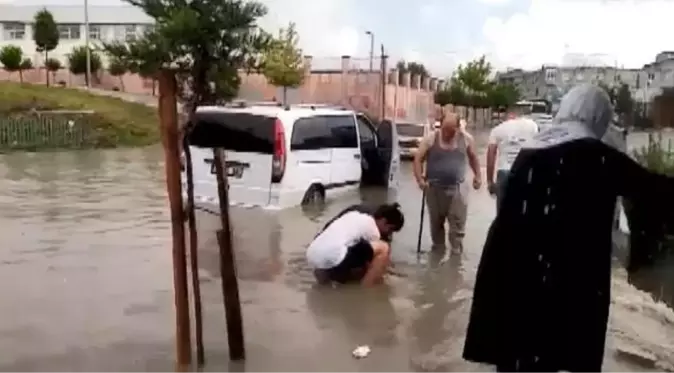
(329, 248)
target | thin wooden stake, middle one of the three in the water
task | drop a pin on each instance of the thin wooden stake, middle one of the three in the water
(194, 255)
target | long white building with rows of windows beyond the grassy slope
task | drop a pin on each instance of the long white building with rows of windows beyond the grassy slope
(106, 23)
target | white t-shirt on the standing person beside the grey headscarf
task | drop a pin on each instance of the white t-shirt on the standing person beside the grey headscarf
(510, 136)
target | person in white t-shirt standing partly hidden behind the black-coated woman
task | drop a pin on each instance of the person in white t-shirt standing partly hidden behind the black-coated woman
(505, 142)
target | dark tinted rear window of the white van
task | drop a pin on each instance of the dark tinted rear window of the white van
(241, 132)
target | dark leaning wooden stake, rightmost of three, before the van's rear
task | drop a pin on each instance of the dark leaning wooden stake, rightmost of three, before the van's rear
(230, 285)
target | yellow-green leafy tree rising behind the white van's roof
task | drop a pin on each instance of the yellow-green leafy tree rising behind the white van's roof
(282, 63)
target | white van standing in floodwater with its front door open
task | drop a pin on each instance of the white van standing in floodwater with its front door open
(278, 157)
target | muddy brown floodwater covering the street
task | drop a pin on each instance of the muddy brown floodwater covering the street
(86, 282)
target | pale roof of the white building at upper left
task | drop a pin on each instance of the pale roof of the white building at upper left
(101, 14)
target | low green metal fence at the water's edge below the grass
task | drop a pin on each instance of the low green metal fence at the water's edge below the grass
(46, 130)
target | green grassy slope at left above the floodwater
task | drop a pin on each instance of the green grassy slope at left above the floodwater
(116, 122)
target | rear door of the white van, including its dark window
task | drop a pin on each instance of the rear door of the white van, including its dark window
(248, 140)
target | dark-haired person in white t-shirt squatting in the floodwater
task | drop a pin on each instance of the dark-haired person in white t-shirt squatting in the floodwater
(352, 246)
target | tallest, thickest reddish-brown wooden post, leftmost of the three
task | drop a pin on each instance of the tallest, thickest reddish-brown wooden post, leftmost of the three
(168, 121)
